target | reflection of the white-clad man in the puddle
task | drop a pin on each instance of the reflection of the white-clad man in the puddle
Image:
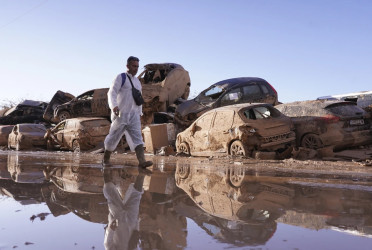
(122, 229)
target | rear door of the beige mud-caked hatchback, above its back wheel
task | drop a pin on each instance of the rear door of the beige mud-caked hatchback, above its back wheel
(219, 135)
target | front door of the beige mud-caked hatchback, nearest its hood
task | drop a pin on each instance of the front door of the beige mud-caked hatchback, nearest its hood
(200, 139)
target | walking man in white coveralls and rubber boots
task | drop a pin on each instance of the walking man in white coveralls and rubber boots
(125, 114)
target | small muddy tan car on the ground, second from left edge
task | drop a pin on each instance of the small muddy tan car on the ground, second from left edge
(27, 136)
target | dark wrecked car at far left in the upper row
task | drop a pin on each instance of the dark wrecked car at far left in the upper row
(26, 112)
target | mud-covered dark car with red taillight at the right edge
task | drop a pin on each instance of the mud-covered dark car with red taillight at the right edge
(321, 123)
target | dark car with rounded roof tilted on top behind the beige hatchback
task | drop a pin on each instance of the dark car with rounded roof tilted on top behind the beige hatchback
(226, 92)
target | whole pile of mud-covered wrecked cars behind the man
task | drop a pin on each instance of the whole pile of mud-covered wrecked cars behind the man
(237, 116)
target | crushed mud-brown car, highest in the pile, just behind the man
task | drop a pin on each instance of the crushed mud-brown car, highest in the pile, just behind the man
(162, 85)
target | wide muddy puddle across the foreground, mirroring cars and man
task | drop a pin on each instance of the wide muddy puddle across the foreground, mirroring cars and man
(64, 201)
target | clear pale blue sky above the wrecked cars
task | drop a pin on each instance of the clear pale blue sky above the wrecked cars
(305, 49)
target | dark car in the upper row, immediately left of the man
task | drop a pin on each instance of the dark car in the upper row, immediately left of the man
(89, 104)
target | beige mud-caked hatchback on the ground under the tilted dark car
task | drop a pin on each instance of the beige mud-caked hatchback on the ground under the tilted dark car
(237, 130)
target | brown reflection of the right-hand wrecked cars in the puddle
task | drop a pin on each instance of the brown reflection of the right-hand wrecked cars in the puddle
(243, 209)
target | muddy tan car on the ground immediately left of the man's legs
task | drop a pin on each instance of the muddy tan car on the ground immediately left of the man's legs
(78, 133)
